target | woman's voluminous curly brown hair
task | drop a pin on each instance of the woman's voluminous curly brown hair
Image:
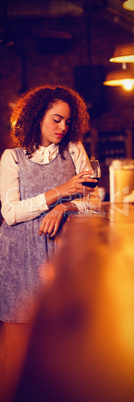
(30, 110)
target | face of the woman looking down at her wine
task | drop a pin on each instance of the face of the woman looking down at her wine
(55, 123)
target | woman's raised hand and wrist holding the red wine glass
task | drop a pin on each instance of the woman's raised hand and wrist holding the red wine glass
(74, 185)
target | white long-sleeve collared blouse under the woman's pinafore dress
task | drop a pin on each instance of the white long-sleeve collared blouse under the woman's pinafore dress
(15, 210)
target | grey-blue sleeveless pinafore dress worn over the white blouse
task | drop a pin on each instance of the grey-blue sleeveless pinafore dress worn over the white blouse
(22, 250)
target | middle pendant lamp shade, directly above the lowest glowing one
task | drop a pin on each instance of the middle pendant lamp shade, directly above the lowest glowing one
(124, 54)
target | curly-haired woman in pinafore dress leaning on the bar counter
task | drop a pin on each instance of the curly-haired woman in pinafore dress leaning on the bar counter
(41, 181)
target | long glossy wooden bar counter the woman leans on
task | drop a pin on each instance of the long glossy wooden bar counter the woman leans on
(82, 342)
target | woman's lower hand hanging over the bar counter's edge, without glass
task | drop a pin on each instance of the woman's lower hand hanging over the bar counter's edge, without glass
(51, 221)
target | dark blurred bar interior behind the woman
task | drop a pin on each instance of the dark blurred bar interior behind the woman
(70, 43)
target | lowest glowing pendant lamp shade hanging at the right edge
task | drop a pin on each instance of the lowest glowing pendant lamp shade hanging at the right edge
(120, 78)
